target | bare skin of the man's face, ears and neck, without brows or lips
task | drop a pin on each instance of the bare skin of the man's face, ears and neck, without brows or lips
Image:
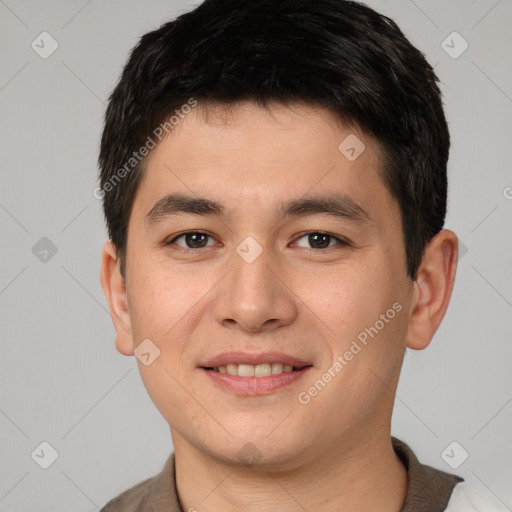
(333, 453)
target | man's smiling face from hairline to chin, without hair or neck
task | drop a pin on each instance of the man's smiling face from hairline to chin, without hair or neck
(292, 254)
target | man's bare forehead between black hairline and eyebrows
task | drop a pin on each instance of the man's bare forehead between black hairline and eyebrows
(252, 158)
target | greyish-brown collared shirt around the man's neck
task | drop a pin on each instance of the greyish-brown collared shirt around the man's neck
(428, 489)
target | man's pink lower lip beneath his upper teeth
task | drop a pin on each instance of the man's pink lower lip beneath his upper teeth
(254, 386)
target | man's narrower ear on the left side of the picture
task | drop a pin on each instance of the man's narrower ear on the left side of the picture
(114, 288)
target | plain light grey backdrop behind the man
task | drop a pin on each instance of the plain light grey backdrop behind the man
(63, 382)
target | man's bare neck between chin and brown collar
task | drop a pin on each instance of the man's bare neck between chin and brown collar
(362, 473)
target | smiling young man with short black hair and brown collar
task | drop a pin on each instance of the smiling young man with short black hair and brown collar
(273, 176)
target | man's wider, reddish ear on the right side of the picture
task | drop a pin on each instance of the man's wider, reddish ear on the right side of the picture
(432, 289)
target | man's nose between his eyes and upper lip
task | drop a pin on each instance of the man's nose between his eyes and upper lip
(254, 296)
